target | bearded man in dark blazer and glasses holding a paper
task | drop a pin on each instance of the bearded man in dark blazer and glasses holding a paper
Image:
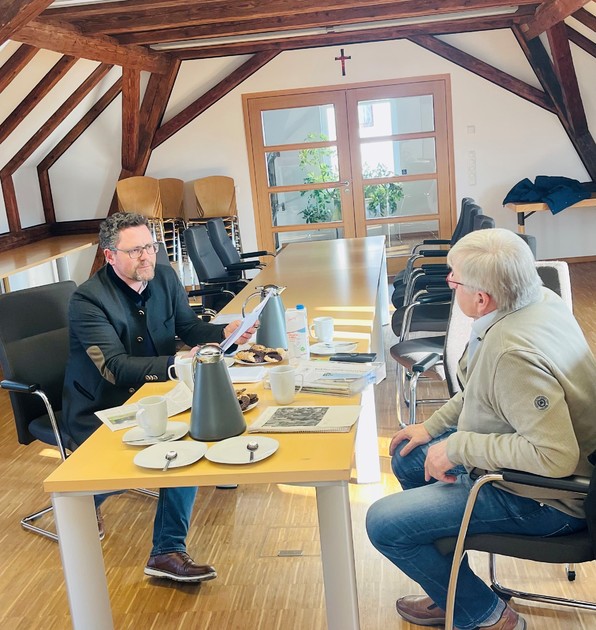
(123, 323)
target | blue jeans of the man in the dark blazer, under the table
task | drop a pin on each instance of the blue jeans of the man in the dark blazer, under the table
(172, 518)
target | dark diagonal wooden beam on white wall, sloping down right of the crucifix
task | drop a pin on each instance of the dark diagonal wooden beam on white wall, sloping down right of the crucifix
(485, 70)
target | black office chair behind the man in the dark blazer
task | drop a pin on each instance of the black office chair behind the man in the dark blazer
(33, 355)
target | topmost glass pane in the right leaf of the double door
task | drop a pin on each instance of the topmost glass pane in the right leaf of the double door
(390, 116)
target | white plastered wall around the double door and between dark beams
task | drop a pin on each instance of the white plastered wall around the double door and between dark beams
(507, 137)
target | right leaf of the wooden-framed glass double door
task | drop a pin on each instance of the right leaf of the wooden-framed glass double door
(400, 164)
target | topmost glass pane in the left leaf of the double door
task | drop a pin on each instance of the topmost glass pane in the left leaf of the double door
(290, 126)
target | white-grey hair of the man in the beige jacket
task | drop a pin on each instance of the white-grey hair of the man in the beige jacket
(500, 263)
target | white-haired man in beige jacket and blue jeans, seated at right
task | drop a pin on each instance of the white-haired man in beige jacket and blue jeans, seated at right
(527, 402)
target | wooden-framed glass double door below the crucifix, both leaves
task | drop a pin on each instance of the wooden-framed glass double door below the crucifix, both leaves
(364, 161)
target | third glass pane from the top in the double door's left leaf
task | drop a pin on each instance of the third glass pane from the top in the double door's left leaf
(299, 207)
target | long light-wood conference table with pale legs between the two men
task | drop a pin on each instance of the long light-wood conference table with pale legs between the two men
(343, 279)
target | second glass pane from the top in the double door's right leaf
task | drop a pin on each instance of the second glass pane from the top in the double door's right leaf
(406, 157)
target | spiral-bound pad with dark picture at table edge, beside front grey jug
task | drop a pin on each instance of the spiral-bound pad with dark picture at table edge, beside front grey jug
(307, 419)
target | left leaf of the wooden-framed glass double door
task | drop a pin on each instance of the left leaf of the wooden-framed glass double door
(301, 162)
